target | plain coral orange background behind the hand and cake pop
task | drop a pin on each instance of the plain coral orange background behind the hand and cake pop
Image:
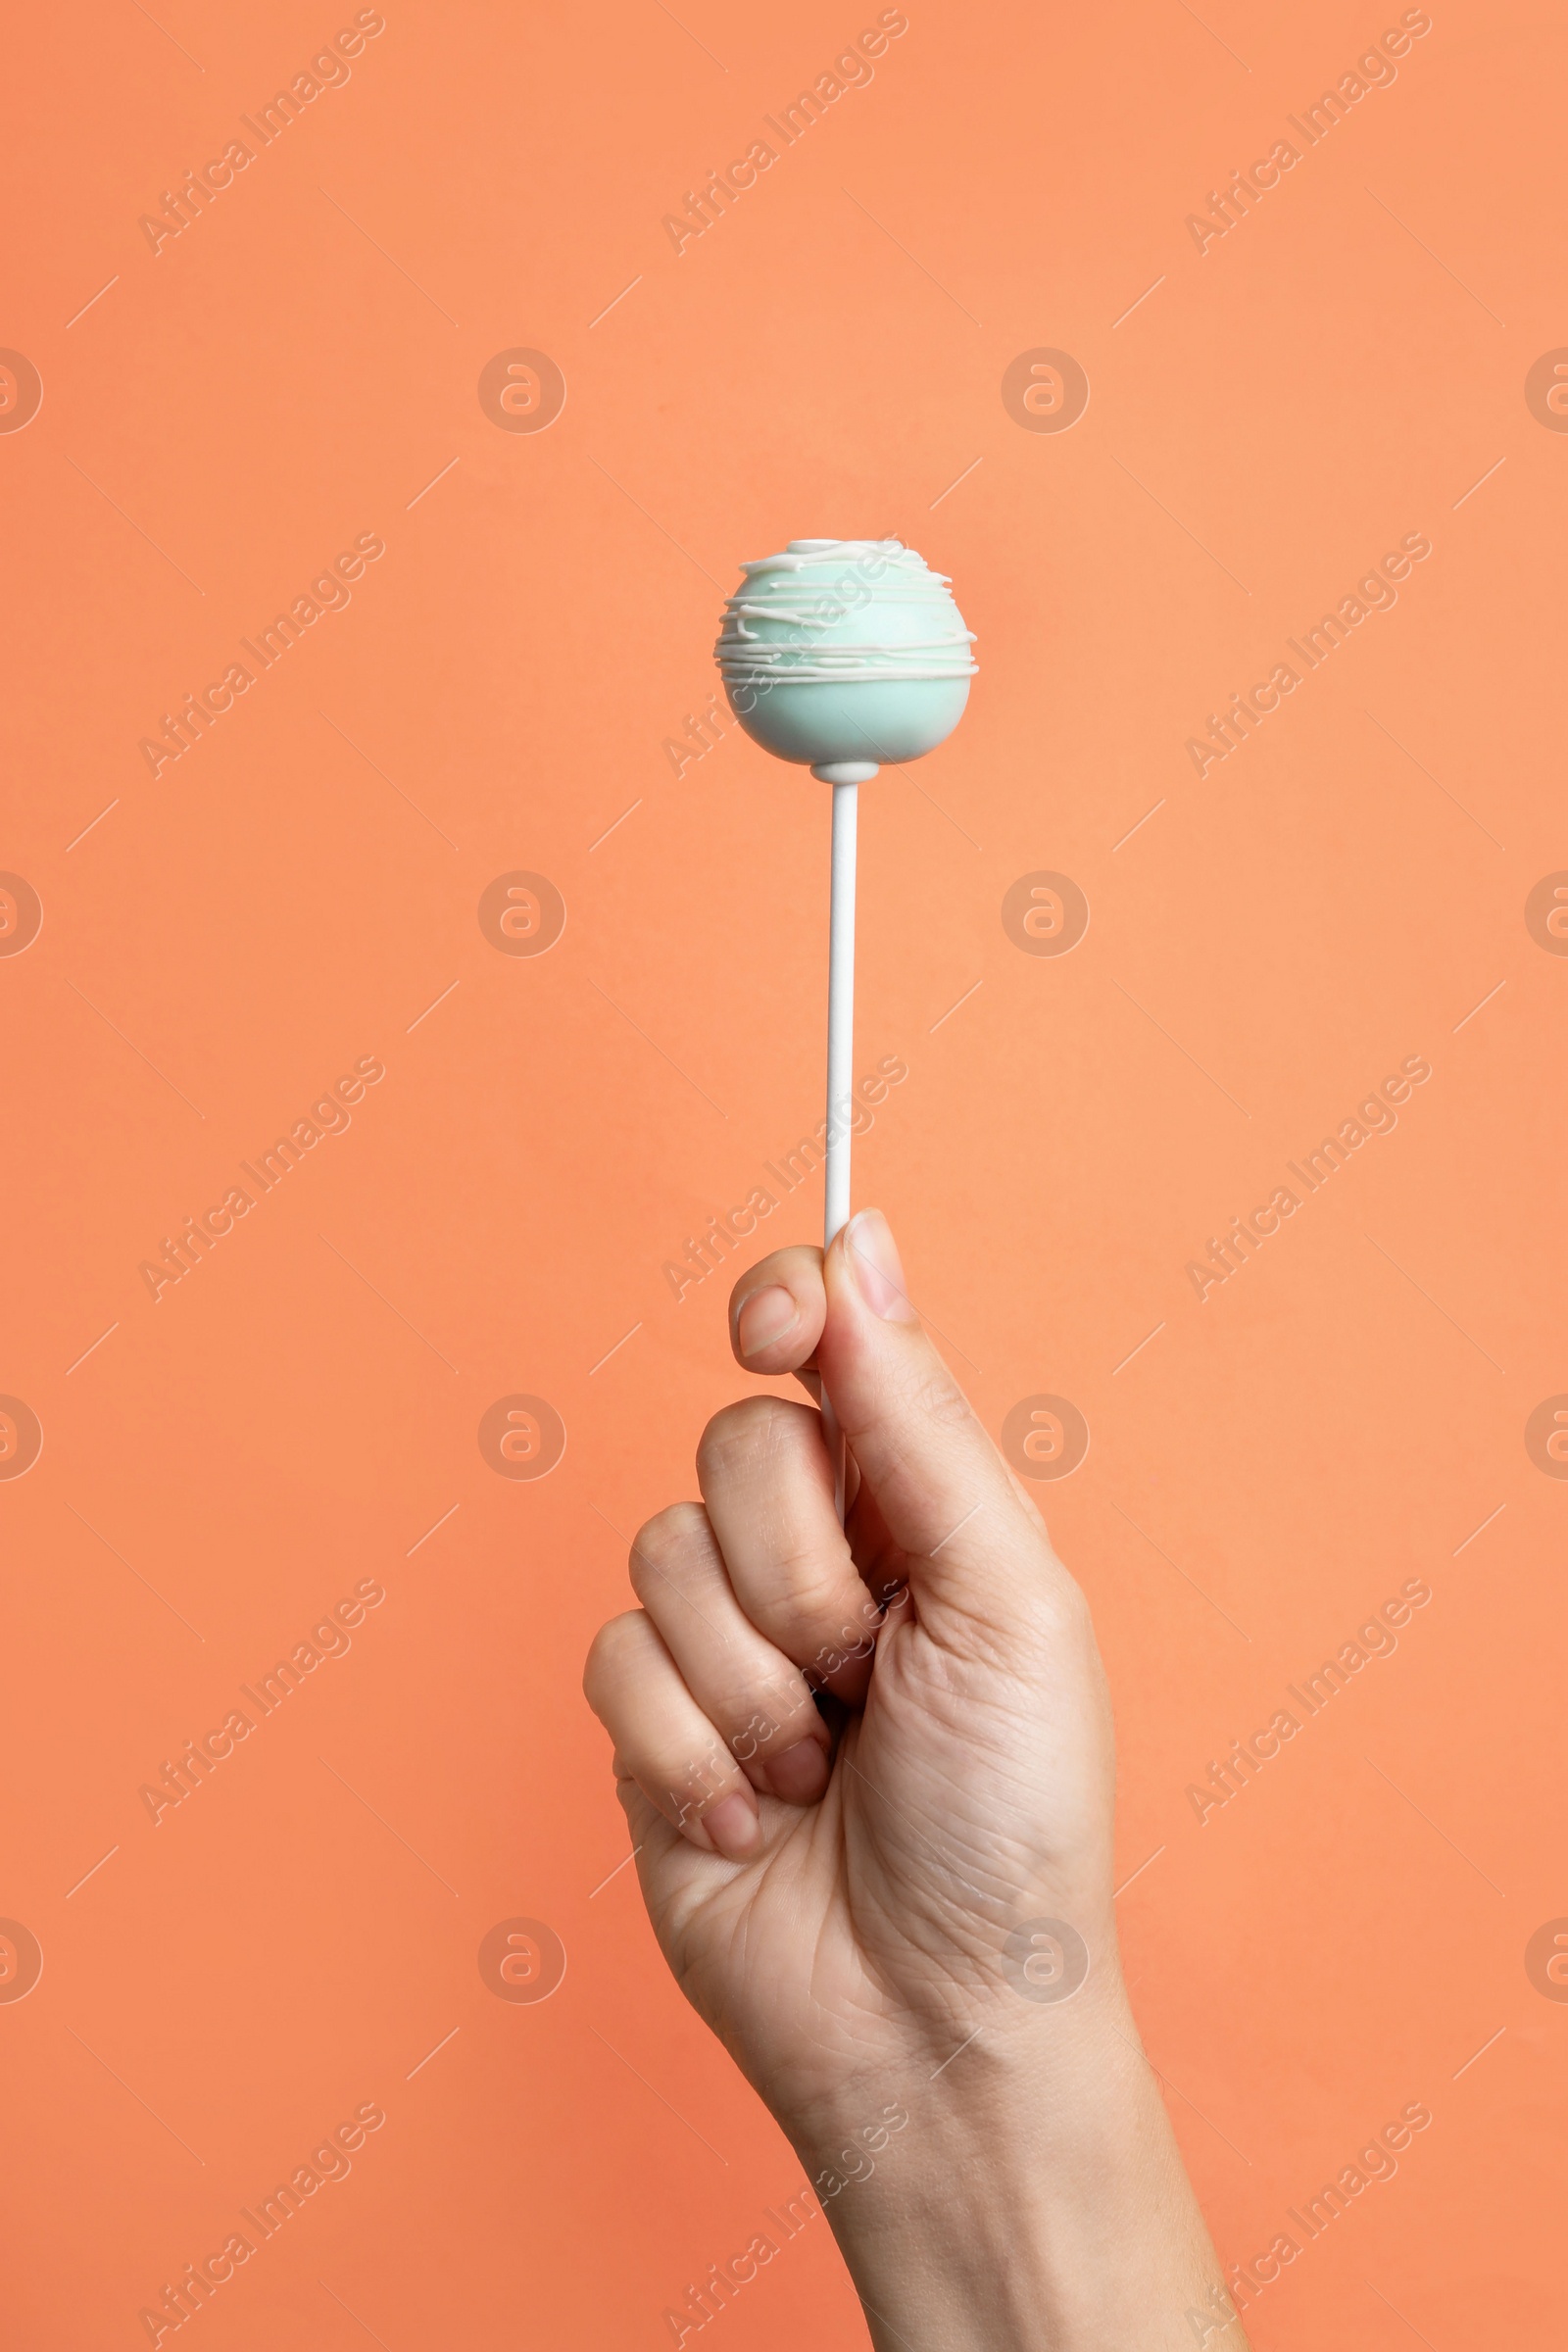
(300, 890)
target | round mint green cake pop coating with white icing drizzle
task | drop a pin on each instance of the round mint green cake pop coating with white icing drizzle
(845, 650)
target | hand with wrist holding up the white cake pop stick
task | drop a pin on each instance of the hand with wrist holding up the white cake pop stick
(871, 1779)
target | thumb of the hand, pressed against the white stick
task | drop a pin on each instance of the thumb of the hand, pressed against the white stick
(939, 1483)
